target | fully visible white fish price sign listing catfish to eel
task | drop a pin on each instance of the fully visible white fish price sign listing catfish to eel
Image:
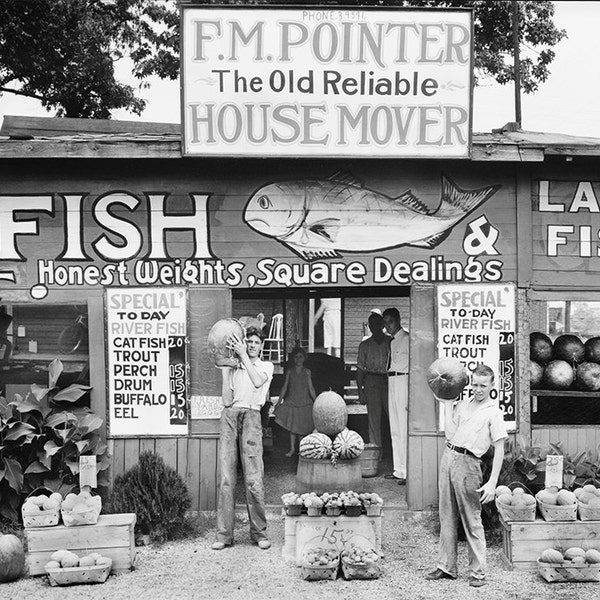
(147, 349)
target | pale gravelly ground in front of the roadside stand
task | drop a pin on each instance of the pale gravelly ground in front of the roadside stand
(189, 569)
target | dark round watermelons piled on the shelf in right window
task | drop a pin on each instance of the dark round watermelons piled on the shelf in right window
(568, 363)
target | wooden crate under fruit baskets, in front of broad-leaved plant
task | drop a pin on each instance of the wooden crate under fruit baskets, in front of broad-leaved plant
(111, 536)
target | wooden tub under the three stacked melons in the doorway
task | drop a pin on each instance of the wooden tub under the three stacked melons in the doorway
(320, 475)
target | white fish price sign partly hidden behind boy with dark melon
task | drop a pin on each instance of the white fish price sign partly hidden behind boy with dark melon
(476, 324)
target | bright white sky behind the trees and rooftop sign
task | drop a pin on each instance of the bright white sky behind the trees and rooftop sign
(568, 102)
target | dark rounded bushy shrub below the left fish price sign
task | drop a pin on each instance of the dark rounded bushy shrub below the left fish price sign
(156, 493)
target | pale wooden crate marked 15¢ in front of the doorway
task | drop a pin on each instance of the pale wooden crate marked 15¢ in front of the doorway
(329, 532)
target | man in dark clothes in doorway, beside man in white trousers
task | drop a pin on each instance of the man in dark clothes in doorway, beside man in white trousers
(371, 375)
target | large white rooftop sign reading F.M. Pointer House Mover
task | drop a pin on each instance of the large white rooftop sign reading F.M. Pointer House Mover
(326, 82)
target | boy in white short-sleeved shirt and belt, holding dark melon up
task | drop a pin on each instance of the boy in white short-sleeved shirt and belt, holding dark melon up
(472, 425)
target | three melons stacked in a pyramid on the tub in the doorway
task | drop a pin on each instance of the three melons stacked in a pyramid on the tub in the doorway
(331, 439)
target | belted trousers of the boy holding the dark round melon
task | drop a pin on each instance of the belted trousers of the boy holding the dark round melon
(460, 476)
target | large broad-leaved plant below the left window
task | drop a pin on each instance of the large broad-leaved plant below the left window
(41, 441)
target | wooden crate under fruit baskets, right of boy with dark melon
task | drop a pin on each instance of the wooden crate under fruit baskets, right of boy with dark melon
(524, 541)
